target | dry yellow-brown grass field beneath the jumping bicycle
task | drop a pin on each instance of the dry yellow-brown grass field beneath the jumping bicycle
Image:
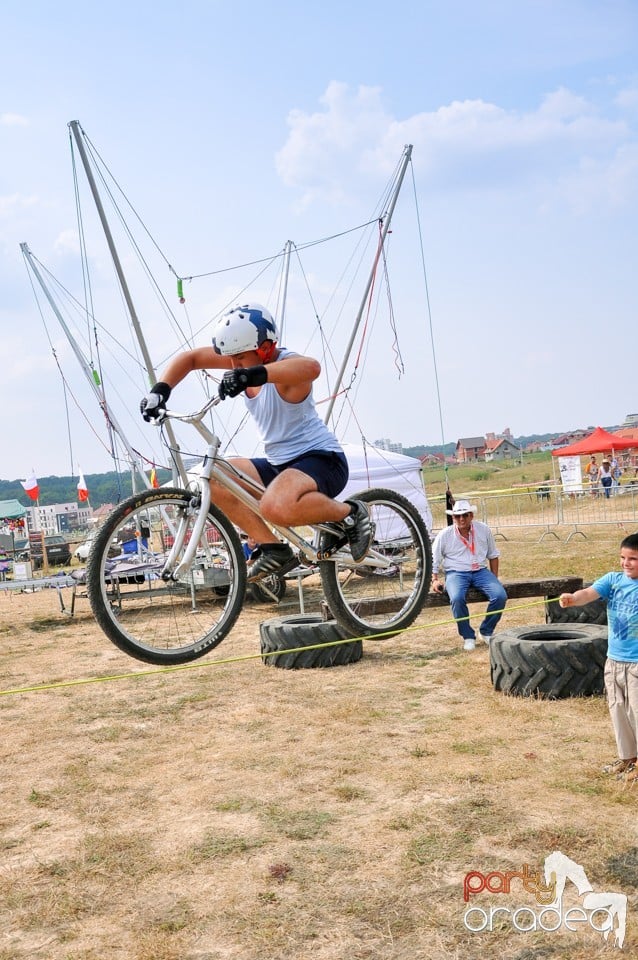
(233, 811)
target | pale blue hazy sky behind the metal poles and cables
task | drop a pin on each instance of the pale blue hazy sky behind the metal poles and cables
(233, 128)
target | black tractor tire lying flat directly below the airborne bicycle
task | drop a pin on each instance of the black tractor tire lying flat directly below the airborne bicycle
(288, 634)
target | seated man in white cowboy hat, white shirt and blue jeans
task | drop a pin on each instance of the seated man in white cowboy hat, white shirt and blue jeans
(467, 553)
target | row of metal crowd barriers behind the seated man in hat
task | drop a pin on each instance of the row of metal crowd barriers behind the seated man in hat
(550, 511)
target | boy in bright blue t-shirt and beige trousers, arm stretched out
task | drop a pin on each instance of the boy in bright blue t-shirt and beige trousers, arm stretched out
(620, 590)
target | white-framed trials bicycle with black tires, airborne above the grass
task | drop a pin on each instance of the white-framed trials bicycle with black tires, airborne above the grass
(179, 584)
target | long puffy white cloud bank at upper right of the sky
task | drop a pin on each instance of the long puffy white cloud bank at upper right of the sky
(468, 144)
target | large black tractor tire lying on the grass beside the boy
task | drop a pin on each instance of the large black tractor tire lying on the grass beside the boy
(548, 661)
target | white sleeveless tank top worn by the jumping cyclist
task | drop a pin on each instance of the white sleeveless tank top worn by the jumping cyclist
(288, 430)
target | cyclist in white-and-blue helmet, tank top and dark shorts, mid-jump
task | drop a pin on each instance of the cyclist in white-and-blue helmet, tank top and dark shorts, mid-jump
(304, 467)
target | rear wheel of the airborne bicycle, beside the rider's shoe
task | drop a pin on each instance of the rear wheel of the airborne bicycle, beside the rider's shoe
(384, 593)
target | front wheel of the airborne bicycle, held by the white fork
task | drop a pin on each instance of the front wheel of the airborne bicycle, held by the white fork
(160, 620)
